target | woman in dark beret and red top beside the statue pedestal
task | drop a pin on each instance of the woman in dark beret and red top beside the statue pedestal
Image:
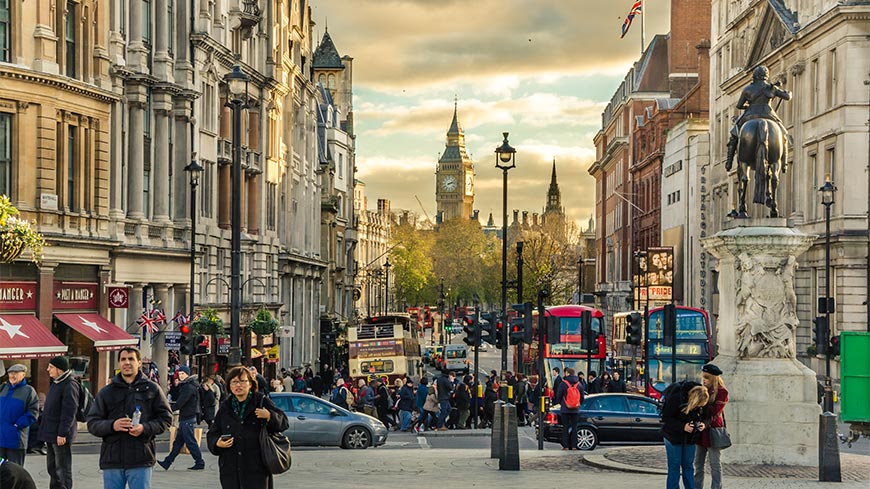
(714, 439)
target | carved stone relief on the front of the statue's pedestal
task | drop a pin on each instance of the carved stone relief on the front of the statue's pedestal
(766, 306)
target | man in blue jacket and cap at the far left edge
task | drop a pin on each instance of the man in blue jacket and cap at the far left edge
(19, 406)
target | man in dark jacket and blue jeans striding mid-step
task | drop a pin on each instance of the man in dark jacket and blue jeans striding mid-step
(188, 408)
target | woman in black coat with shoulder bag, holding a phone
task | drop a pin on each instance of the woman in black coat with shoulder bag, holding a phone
(235, 434)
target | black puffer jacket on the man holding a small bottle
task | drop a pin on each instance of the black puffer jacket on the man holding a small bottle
(121, 450)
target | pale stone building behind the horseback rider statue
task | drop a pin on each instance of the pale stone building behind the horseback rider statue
(819, 50)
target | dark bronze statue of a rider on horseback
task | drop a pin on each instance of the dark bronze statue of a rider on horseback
(758, 140)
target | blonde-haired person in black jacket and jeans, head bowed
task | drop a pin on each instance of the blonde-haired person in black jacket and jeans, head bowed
(681, 414)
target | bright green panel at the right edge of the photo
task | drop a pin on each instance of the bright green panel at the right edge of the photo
(855, 376)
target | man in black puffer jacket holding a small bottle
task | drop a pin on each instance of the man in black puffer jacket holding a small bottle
(128, 414)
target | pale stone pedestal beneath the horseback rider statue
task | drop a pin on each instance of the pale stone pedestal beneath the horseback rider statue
(772, 414)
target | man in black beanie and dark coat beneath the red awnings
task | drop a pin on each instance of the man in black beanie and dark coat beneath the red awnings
(57, 427)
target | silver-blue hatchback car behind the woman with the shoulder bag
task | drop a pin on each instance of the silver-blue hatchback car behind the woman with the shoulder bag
(316, 422)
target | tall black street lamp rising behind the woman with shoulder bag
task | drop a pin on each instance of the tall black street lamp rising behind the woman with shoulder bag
(237, 83)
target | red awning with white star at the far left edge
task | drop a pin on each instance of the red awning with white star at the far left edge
(23, 336)
